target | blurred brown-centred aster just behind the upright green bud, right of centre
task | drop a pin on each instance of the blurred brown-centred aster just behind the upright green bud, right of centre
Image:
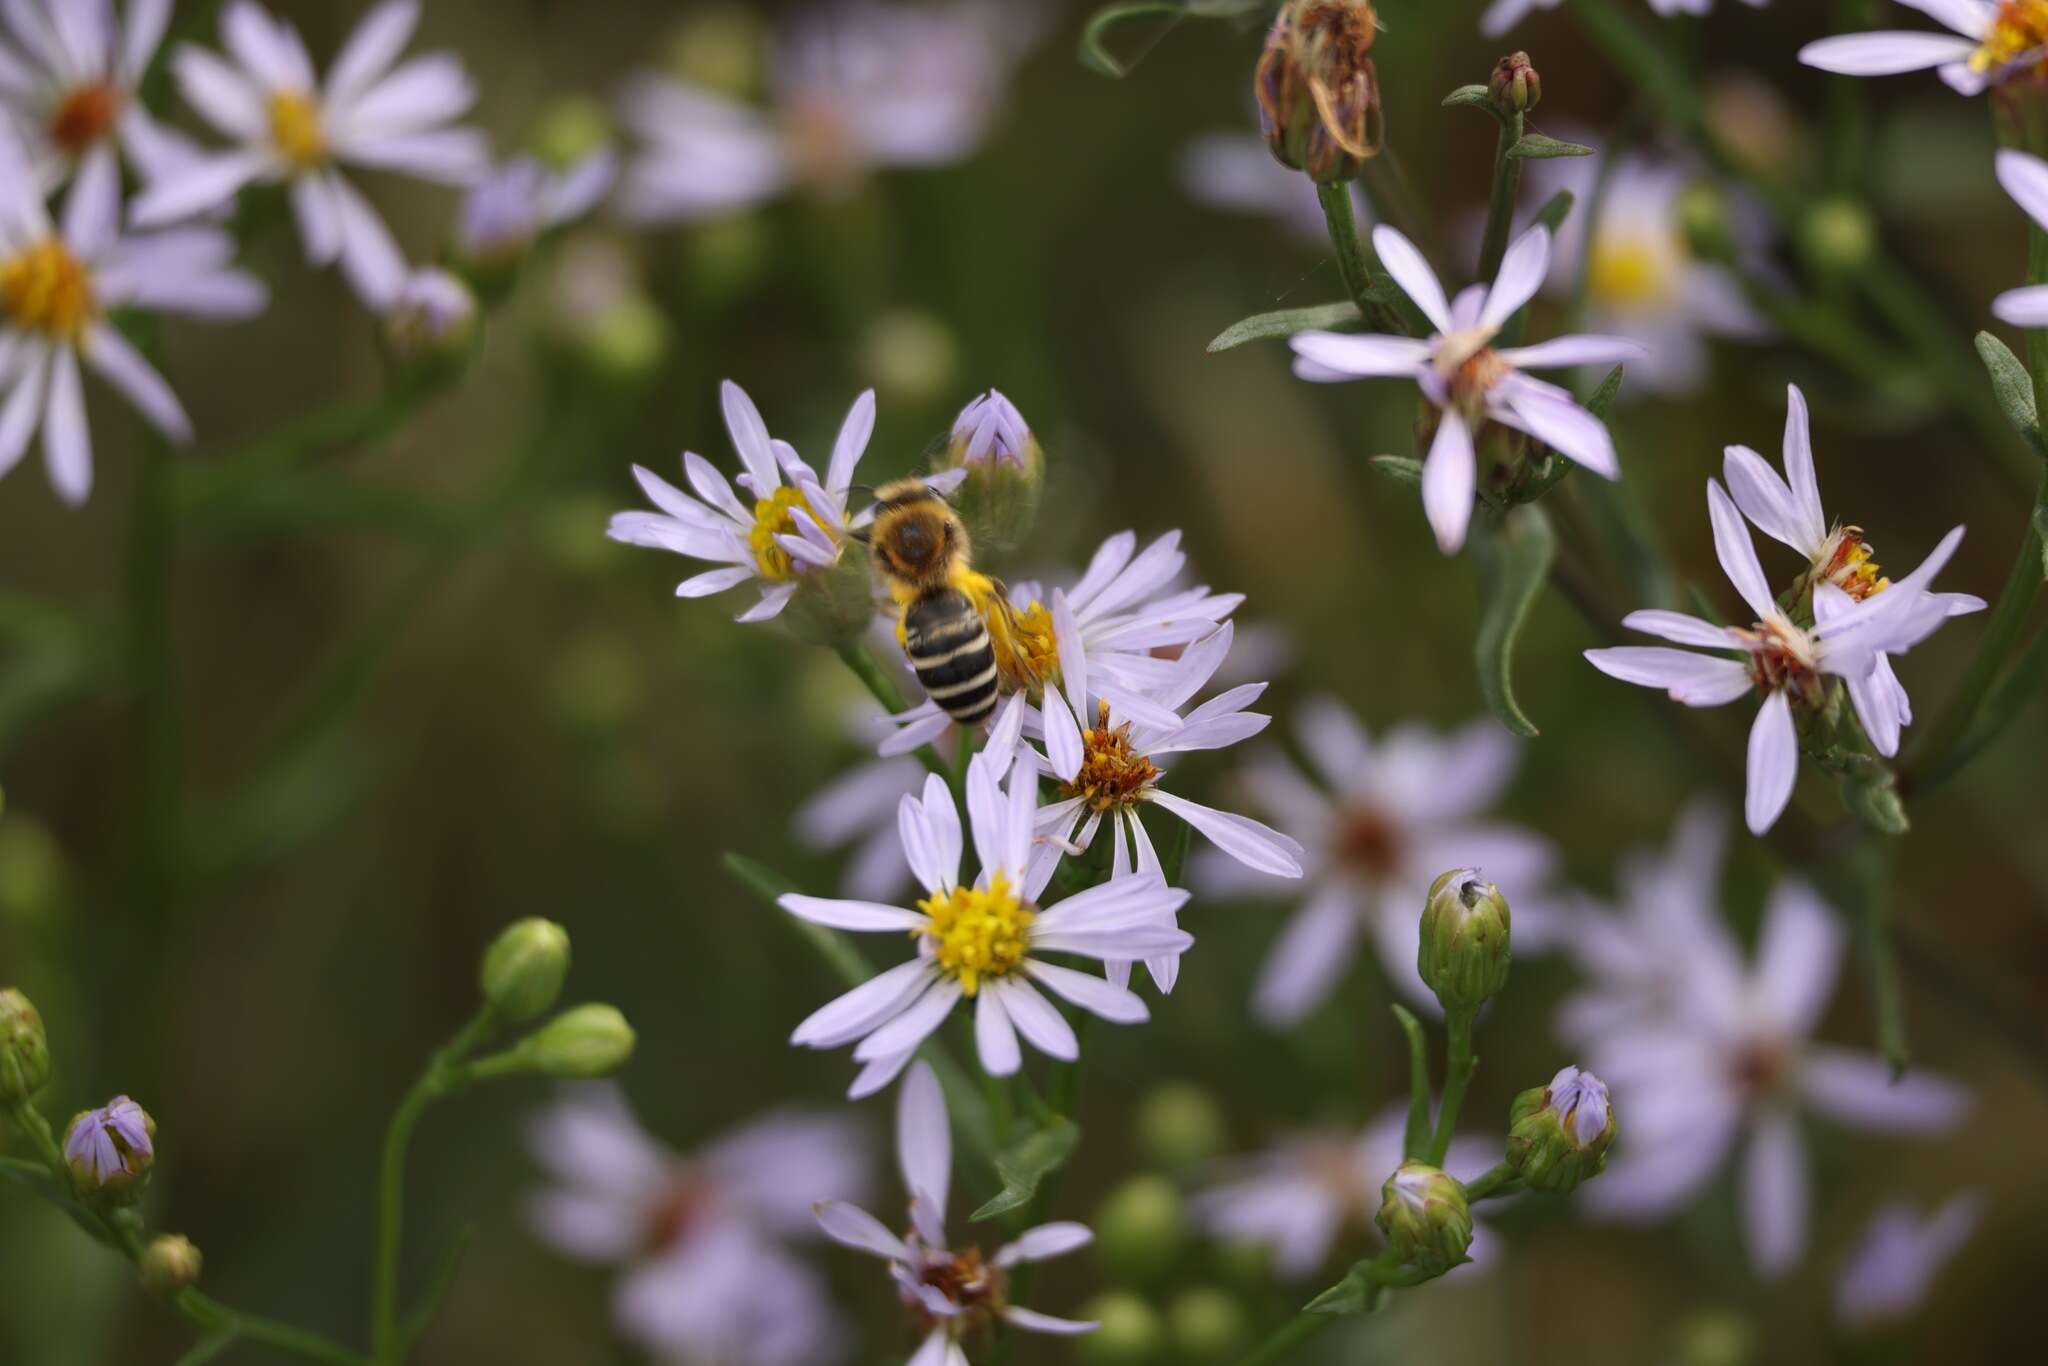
(1390, 816)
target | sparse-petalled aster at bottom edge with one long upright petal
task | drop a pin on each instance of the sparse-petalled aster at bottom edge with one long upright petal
(951, 1293)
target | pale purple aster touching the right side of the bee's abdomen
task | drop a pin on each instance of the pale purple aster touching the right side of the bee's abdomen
(1109, 632)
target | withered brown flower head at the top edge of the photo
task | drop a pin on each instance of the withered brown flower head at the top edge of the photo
(1318, 89)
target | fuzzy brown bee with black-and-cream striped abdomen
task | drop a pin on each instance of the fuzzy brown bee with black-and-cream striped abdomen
(951, 617)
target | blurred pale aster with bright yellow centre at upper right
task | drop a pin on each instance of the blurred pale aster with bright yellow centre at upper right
(1641, 275)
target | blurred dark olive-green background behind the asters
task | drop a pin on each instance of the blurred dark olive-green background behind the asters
(400, 730)
